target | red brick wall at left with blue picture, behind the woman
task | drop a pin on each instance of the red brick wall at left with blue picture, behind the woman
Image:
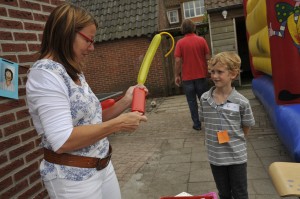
(21, 25)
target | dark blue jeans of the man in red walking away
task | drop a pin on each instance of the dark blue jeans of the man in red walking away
(193, 89)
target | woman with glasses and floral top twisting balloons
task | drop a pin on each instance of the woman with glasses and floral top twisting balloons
(67, 114)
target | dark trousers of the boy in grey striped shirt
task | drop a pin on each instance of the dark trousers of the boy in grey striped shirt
(231, 181)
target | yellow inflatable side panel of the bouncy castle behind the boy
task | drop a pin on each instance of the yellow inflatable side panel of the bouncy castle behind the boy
(257, 27)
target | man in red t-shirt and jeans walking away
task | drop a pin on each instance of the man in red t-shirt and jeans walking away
(191, 56)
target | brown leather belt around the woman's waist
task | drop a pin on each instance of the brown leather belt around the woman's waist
(77, 161)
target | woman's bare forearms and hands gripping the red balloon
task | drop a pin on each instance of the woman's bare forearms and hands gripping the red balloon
(113, 121)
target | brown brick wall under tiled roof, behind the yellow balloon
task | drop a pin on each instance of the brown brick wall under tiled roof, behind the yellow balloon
(114, 66)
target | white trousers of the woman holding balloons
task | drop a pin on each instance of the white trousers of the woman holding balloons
(103, 185)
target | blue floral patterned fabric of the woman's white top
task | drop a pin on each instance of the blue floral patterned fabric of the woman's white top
(85, 109)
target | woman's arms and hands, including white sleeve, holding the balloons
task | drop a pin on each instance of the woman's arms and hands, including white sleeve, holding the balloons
(49, 105)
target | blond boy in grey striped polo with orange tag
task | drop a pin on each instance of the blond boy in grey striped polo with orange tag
(227, 116)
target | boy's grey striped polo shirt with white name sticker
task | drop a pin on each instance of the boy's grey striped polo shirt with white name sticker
(231, 116)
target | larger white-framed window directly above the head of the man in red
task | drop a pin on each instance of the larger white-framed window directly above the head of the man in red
(193, 8)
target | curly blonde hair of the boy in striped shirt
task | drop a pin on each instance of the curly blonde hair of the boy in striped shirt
(230, 59)
